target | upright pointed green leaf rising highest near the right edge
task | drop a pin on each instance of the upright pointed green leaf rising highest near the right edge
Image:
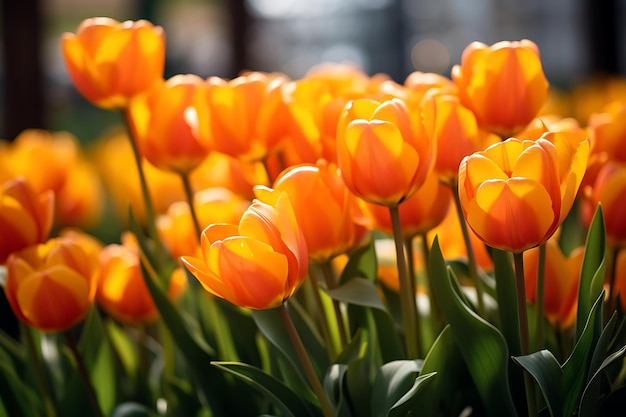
(592, 272)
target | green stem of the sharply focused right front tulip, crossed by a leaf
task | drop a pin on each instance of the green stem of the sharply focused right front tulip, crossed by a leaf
(523, 330)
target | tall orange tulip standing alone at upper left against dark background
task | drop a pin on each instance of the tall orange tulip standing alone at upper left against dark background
(110, 61)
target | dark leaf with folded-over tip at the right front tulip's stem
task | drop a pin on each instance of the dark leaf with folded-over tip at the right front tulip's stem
(545, 369)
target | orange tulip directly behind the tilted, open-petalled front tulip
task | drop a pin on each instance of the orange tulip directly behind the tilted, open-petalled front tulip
(324, 208)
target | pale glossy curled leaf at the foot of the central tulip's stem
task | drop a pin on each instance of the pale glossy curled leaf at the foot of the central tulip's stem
(395, 386)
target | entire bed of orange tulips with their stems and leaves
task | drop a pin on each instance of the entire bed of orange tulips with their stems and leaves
(337, 245)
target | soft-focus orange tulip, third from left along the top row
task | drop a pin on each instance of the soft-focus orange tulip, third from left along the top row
(248, 116)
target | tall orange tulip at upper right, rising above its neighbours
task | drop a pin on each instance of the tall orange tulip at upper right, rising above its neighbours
(503, 84)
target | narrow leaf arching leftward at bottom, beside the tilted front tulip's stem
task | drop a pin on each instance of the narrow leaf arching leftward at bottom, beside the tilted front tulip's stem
(287, 401)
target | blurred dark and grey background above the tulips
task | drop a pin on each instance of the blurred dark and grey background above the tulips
(577, 39)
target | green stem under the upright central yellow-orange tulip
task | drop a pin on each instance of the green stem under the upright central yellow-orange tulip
(407, 297)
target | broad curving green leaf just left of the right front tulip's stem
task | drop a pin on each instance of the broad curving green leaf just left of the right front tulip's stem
(482, 345)
